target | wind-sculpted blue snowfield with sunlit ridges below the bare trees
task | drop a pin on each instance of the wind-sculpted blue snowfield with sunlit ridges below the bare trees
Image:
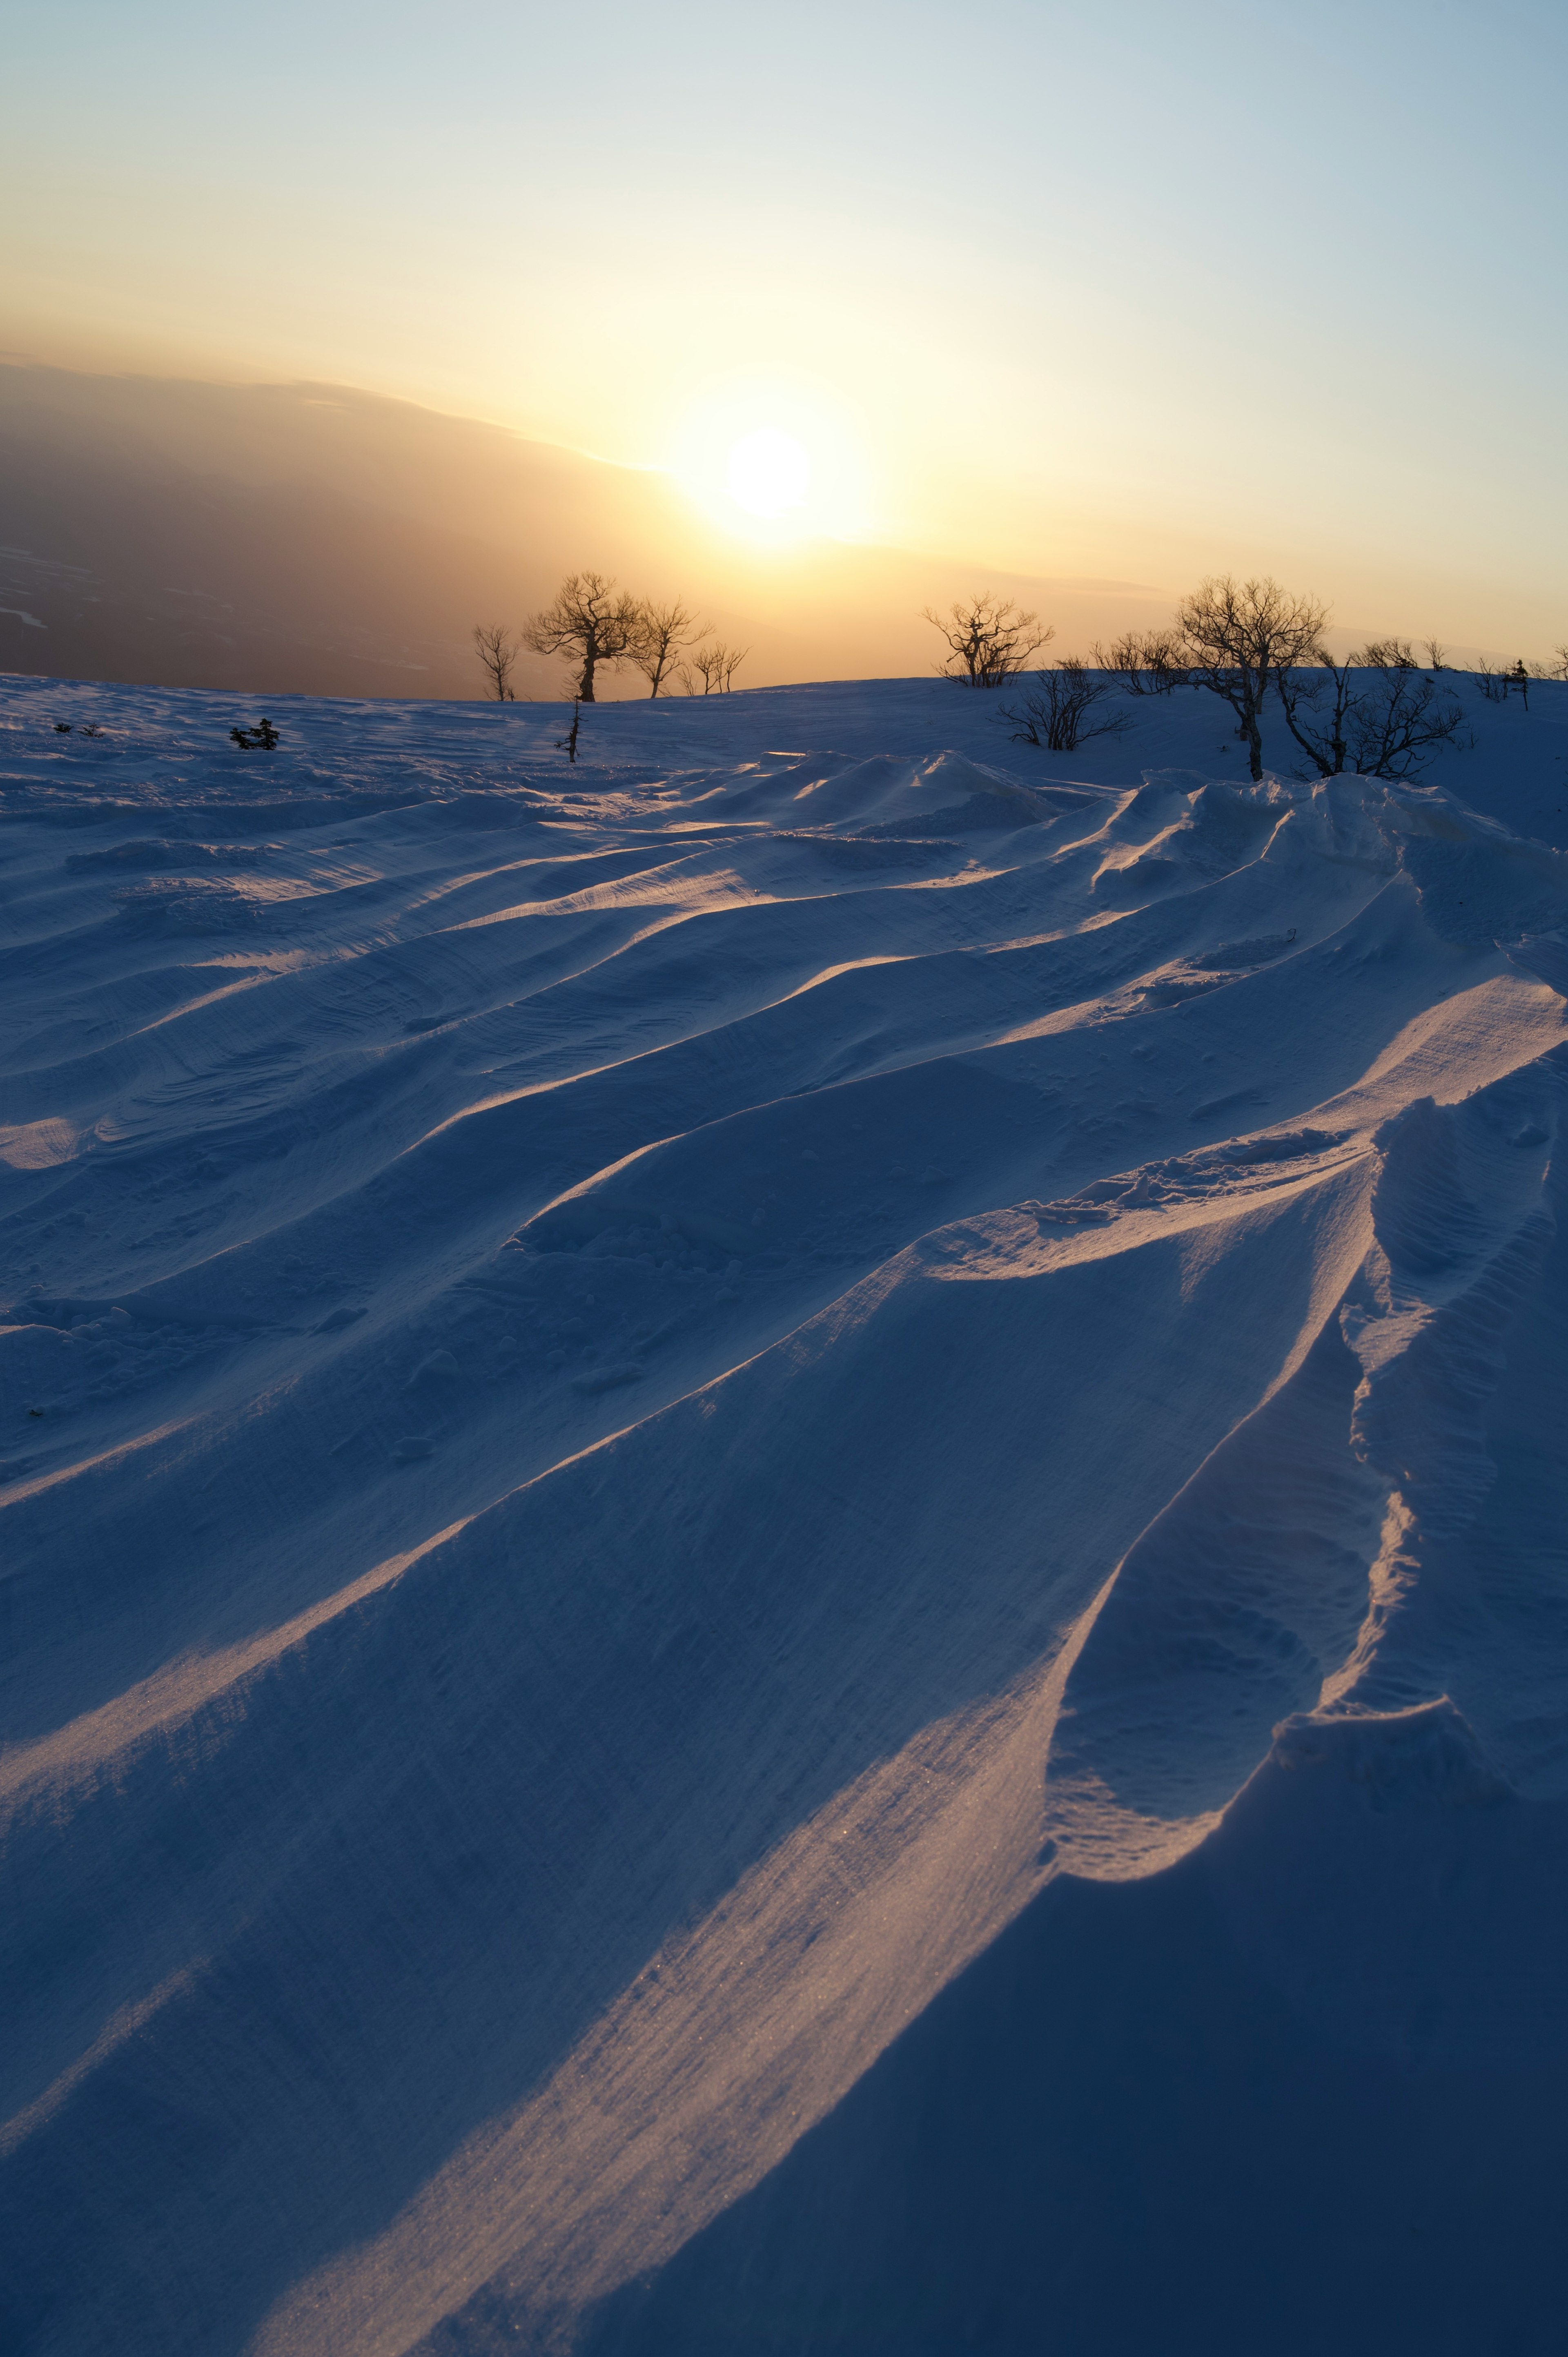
(697, 1446)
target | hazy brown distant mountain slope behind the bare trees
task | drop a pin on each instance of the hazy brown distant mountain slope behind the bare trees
(319, 541)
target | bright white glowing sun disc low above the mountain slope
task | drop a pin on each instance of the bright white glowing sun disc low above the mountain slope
(775, 458)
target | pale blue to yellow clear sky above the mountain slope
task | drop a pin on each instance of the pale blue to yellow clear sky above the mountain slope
(1086, 293)
